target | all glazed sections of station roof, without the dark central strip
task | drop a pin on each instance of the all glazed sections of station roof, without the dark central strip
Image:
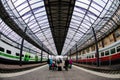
(86, 14)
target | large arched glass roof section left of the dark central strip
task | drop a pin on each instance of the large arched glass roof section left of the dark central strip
(31, 13)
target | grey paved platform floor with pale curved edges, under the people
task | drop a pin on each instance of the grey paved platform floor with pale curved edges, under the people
(43, 73)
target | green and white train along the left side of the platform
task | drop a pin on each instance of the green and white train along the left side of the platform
(11, 54)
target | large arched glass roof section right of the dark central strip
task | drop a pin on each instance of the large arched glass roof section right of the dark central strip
(87, 14)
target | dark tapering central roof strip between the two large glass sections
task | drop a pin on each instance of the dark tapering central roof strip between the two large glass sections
(59, 15)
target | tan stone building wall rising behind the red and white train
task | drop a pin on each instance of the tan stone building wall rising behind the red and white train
(111, 38)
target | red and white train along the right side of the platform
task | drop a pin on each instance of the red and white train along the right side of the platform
(107, 55)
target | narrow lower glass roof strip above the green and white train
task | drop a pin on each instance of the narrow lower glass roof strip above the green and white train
(15, 37)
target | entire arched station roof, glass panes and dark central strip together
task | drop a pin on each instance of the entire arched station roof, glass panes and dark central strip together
(58, 26)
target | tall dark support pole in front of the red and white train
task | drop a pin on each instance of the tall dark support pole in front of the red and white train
(97, 49)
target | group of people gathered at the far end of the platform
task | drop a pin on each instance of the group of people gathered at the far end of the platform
(58, 64)
